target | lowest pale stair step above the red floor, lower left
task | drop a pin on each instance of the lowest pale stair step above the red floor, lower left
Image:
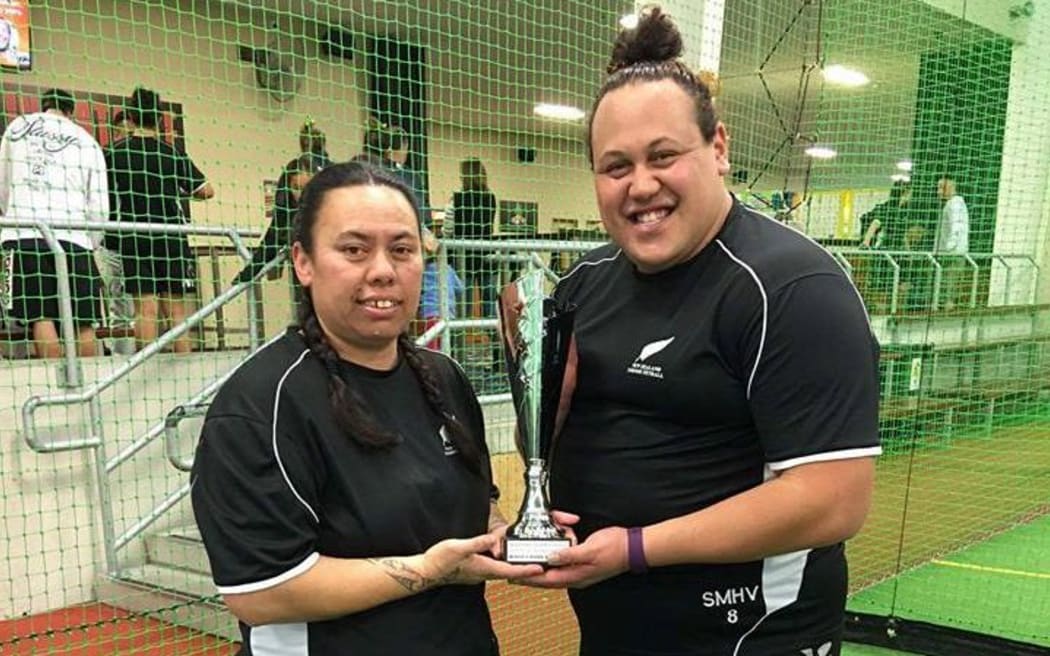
(169, 595)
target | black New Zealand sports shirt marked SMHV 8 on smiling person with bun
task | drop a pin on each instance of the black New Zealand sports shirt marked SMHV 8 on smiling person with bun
(696, 385)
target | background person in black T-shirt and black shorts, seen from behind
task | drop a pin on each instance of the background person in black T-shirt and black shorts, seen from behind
(149, 182)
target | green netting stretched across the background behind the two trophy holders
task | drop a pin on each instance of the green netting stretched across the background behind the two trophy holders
(98, 553)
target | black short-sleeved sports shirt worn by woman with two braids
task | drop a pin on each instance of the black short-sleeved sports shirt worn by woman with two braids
(277, 484)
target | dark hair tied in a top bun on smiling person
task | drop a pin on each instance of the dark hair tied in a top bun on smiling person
(650, 53)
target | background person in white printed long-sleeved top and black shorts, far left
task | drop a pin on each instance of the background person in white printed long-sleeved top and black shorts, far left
(52, 171)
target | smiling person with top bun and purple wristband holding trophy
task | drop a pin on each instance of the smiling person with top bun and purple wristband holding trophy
(723, 408)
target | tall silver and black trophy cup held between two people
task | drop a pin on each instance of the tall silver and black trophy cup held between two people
(536, 336)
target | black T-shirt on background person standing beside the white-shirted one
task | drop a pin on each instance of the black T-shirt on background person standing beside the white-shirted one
(150, 180)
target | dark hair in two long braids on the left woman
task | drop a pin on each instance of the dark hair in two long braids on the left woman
(348, 405)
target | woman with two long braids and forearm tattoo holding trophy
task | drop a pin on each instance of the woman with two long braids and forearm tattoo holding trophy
(342, 482)
